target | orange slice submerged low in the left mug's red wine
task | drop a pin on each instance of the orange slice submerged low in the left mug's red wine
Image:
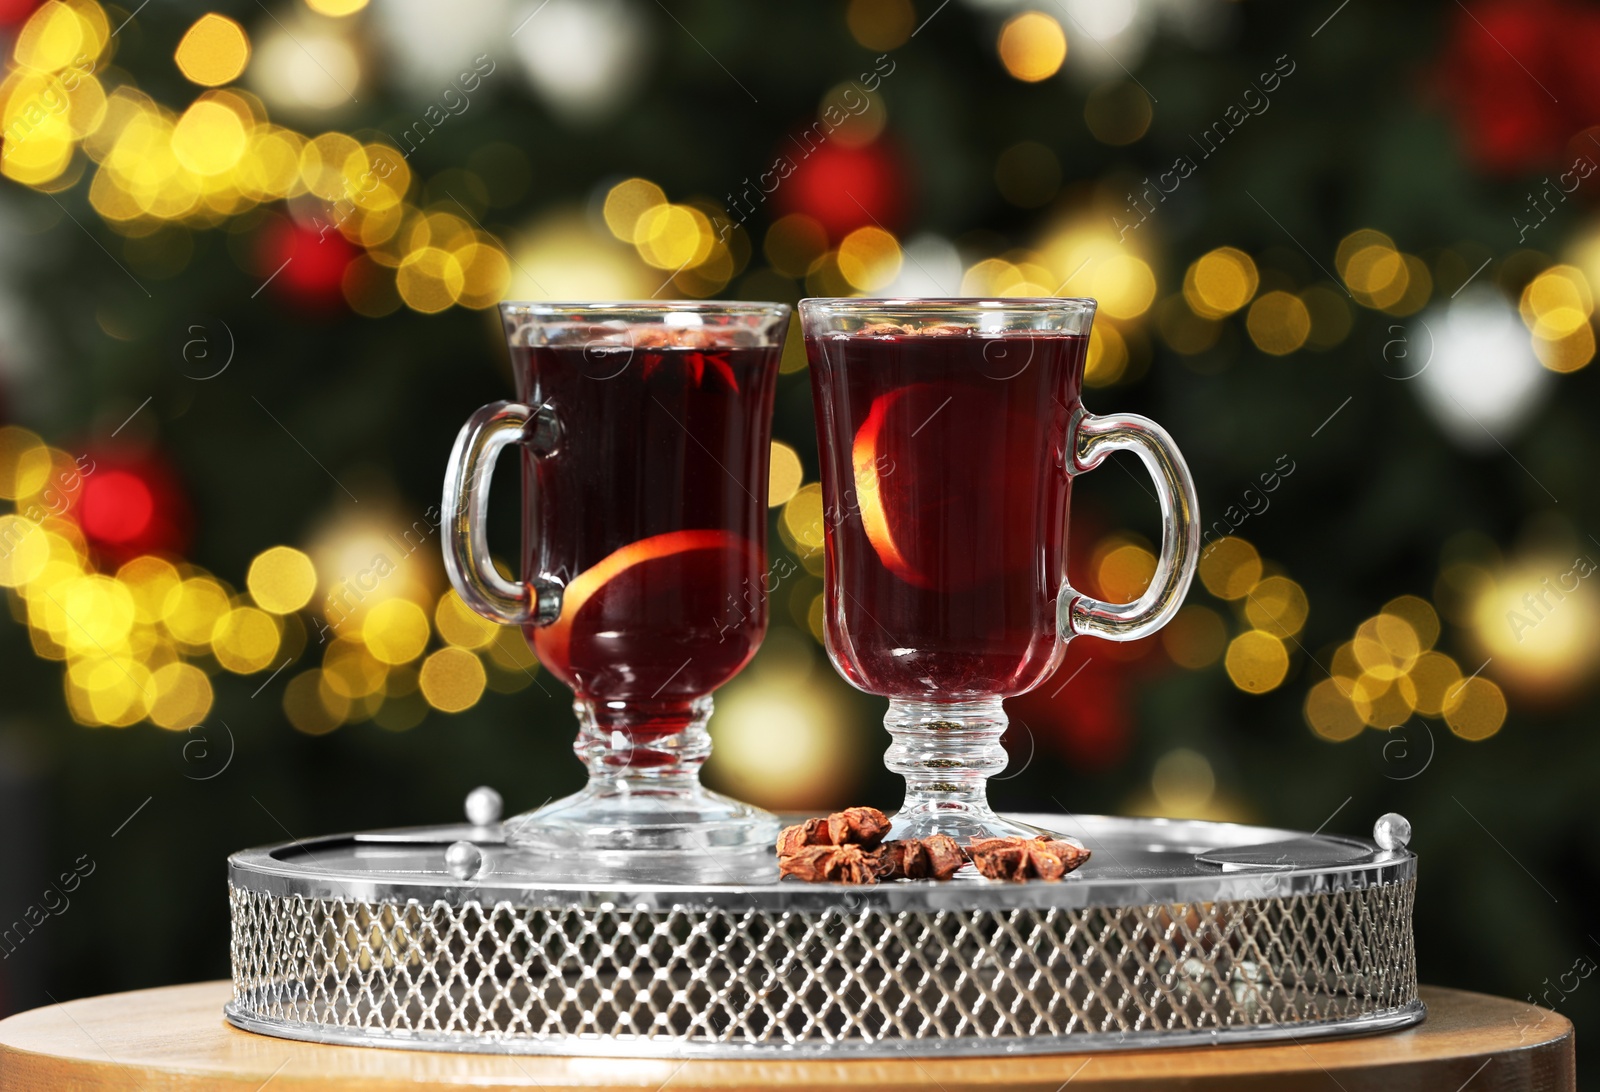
(716, 561)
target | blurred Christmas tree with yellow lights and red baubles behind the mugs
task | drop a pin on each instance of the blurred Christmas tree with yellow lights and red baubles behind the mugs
(247, 273)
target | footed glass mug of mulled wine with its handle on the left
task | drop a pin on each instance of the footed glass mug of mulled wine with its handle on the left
(646, 435)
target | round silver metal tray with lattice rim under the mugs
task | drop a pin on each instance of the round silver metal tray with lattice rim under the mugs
(1174, 934)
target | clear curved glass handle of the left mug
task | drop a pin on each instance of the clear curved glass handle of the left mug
(468, 497)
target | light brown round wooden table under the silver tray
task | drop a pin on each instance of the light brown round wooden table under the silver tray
(175, 1040)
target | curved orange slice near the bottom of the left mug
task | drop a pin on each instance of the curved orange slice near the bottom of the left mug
(742, 558)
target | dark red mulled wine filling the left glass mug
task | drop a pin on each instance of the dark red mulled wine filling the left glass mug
(654, 515)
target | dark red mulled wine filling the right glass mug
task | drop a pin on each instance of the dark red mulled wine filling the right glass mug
(946, 494)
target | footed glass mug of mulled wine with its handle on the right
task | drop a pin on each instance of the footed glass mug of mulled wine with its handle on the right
(951, 432)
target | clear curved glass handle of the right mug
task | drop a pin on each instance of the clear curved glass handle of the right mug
(1090, 440)
